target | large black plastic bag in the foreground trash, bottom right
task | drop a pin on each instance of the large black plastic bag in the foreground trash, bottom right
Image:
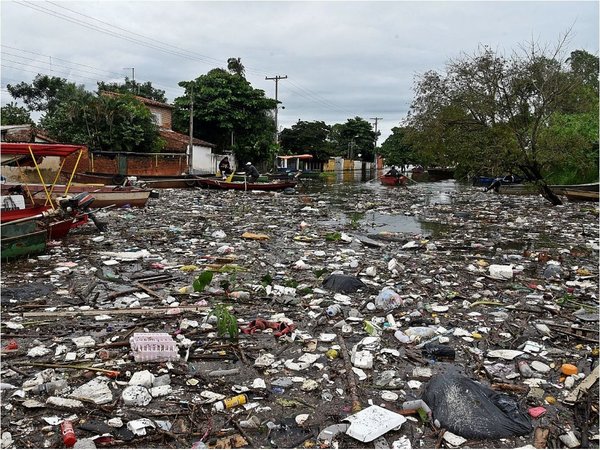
(472, 410)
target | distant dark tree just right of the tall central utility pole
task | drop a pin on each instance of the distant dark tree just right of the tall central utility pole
(307, 137)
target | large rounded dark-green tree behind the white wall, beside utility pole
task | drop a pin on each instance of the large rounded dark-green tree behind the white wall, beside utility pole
(230, 113)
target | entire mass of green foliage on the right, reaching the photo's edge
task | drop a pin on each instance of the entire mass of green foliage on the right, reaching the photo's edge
(488, 114)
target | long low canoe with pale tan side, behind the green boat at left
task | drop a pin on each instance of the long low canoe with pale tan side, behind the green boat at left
(103, 195)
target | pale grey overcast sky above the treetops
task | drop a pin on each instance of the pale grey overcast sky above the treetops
(342, 59)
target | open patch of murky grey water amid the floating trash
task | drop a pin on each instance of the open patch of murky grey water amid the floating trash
(343, 191)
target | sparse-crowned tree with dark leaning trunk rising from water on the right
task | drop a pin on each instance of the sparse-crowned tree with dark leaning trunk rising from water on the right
(493, 100)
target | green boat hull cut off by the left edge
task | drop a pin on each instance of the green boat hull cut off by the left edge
(22, 238)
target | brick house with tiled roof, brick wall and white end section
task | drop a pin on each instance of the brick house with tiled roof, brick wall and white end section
(174, 160)
